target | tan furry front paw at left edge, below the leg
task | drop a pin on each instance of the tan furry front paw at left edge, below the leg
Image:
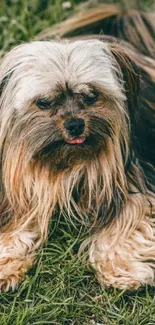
(12, 271)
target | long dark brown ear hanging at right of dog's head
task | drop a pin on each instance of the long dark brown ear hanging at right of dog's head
(129, 74)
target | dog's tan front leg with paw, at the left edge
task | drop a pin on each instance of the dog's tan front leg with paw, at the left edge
(17, 255)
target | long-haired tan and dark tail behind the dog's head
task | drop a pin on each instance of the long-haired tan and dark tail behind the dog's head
(135, 27)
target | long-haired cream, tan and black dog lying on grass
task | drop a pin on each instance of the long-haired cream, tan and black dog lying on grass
(77, 123)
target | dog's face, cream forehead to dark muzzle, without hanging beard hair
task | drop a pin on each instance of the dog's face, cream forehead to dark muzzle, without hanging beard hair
(63, 102)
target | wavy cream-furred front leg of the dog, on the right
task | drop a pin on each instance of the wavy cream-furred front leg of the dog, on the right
(123, 253)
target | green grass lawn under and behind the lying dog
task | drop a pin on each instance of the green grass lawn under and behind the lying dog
(60, 289)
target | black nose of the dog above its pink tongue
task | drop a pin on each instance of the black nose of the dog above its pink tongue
(75, 126)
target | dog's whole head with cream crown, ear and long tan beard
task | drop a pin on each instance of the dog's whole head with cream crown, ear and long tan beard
(64, 107)
